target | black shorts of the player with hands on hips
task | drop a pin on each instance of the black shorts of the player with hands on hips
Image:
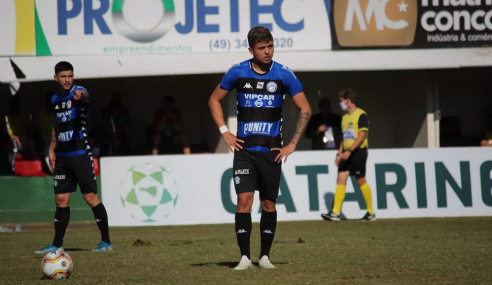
(255, 170)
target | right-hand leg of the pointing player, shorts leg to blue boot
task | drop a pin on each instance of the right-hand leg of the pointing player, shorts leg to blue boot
(86, 179)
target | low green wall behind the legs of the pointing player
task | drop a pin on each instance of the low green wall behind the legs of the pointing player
(29, 200)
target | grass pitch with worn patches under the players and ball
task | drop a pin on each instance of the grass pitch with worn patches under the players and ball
(404, 251)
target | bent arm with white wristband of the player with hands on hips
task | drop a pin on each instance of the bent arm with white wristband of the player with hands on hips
(214, 103)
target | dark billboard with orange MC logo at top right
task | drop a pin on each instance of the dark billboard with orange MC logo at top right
(411, 23)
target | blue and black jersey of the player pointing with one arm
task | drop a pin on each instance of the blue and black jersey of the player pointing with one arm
(71, 123)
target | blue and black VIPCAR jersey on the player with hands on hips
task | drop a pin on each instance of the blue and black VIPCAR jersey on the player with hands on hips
(260, 98)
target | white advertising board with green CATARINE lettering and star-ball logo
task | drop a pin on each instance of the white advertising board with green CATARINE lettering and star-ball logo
(199, 189)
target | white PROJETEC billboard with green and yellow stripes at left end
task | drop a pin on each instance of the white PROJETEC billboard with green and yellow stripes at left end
(98, 27)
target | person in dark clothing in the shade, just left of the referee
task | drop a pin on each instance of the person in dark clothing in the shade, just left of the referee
(324, 128)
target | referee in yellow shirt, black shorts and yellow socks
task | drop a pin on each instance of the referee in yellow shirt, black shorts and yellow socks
(352, 155)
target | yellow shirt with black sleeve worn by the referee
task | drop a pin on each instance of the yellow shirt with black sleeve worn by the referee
(352, 124)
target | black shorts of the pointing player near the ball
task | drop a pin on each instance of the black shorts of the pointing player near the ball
(71, 171)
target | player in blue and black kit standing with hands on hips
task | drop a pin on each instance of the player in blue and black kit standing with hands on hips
(261, 86)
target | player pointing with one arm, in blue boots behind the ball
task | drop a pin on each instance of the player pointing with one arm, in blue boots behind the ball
(71, 157)
